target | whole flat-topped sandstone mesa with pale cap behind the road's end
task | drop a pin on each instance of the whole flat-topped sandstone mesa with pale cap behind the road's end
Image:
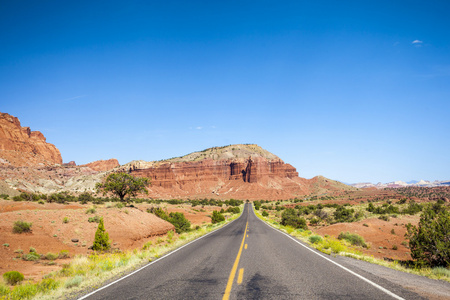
(235, 171)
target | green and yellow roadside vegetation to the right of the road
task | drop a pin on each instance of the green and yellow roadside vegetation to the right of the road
(429, 241)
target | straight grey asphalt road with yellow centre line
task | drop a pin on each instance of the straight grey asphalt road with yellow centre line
(247, 259)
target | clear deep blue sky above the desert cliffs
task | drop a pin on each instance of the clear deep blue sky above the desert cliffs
(352, 90)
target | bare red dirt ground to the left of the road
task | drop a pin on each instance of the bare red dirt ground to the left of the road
(128, 228)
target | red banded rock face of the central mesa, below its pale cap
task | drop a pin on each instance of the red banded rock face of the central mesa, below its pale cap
(252, 178)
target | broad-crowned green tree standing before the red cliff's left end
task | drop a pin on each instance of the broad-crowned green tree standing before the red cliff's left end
(123, 184)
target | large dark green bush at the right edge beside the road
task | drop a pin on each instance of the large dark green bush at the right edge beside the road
(430, 240)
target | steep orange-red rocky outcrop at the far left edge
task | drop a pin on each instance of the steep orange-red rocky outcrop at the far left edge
(19, 146)
